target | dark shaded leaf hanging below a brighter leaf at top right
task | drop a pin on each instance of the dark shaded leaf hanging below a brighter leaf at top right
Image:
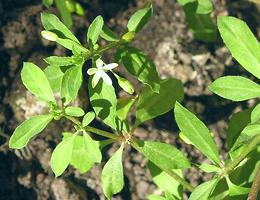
(201, 25)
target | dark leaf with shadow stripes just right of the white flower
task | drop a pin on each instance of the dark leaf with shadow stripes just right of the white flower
(140, 66)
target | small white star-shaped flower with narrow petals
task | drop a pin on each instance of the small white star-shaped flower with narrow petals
(100, 72)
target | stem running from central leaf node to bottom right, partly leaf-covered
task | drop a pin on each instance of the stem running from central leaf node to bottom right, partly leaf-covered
(171, 173)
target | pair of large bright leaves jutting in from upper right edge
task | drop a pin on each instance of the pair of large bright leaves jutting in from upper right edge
(244, 48)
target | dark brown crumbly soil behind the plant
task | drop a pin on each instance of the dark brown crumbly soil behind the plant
(26, 174)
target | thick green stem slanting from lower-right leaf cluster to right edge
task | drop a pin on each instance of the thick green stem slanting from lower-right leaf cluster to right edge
(250, 147)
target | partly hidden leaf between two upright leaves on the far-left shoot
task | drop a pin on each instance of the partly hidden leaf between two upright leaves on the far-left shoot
(54, 76)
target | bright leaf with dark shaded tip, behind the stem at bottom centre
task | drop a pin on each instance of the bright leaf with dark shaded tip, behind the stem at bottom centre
(164, 181)
